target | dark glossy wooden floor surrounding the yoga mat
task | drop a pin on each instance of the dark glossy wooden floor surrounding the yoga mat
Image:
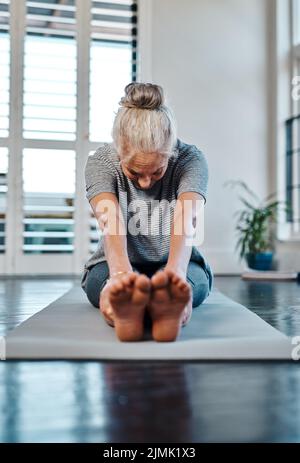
(151, 402)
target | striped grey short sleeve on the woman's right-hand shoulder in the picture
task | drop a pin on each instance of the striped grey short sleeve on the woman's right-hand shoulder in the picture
(192, 172)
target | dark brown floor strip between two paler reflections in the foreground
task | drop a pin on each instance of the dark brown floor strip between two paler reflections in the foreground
(141, 392)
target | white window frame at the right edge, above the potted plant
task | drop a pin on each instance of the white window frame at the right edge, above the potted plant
(284, 51)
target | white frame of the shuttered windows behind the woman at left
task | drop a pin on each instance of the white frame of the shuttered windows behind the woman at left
(13, 260)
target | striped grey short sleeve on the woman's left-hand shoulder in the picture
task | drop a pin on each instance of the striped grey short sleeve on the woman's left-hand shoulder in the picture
(100, 175)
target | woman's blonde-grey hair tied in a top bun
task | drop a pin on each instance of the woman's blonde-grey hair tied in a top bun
(143, 122)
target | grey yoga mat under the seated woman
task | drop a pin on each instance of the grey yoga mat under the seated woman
(70, 328)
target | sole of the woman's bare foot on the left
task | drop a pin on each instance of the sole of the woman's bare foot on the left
(128, 298)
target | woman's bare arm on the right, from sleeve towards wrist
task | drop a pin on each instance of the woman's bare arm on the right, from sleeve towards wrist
(188, 209)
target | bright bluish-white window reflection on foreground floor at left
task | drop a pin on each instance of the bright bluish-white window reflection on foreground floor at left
(51, 402)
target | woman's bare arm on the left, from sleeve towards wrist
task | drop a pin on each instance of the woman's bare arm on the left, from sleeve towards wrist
(109, 216)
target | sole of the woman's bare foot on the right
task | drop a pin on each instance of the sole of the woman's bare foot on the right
(171, 296)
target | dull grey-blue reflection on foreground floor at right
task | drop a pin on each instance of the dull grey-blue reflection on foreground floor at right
(246, 402)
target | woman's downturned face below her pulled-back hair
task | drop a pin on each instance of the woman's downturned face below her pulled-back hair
(144, 170)
